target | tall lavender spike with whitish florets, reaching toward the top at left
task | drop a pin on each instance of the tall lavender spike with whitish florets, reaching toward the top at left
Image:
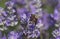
(11, 19)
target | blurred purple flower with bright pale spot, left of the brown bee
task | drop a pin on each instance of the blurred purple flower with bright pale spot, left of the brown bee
(23, 13)
